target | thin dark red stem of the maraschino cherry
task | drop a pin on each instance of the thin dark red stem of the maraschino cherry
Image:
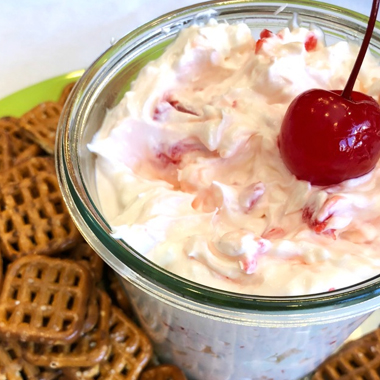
(359, 60)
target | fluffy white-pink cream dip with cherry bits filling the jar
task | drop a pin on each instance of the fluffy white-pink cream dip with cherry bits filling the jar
(190, 175)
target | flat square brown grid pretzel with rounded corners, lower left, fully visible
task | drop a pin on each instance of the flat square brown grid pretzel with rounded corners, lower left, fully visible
(44, 300)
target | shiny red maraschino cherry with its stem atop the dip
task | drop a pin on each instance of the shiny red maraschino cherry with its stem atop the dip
(327, 137)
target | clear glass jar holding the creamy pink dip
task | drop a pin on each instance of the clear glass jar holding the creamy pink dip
(211, 334)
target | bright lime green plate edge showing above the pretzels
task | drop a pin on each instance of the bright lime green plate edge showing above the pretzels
(22, 101)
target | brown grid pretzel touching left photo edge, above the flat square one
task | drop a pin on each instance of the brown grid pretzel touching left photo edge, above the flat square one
(33, 216)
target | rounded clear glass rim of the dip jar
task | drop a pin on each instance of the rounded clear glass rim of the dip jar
(91, 223)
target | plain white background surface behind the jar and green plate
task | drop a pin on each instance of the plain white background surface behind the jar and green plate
(40, 39)
